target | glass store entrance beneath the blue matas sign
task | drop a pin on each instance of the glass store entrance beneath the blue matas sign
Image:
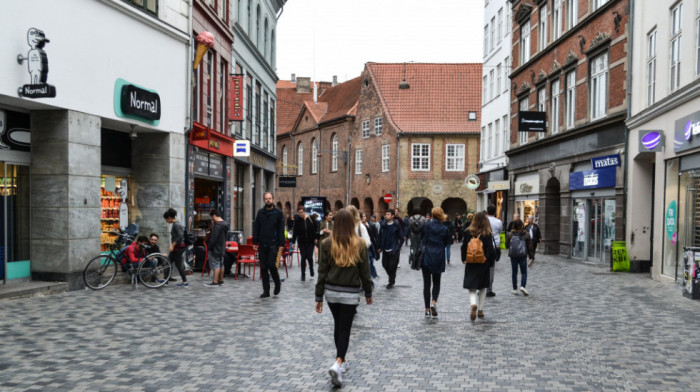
(593, 225)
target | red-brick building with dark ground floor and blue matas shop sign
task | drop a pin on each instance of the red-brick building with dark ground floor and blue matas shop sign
(570, 61)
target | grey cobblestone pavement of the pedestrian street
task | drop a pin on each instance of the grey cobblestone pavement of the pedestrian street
(582, 329)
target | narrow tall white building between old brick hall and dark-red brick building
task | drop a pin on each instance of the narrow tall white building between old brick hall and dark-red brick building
(495, 109)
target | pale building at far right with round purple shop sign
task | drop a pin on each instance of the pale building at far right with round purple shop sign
(664, 149)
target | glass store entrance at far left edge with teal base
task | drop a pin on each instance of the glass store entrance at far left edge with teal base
(14, 222)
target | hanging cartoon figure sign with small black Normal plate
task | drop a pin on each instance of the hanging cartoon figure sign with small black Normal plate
(37, 66)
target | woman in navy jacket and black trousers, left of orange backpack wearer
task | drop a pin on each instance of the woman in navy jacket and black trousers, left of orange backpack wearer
(436, 237)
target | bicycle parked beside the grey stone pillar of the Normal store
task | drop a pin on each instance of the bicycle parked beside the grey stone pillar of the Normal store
(153, 270)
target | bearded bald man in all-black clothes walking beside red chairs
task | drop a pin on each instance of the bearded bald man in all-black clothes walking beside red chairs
(268, 234)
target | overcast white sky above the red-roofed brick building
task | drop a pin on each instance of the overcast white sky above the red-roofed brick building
(348, 33)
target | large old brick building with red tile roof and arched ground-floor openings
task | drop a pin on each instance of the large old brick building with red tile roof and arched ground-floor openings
(416, 141)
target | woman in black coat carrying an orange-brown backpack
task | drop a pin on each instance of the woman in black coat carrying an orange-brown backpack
(476, 275)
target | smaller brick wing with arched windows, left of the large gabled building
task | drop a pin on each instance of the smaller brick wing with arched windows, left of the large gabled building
(313, 138)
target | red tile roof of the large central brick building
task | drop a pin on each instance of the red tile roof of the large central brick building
(438, 101)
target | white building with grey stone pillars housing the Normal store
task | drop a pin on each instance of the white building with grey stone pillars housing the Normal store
(92, 121)
